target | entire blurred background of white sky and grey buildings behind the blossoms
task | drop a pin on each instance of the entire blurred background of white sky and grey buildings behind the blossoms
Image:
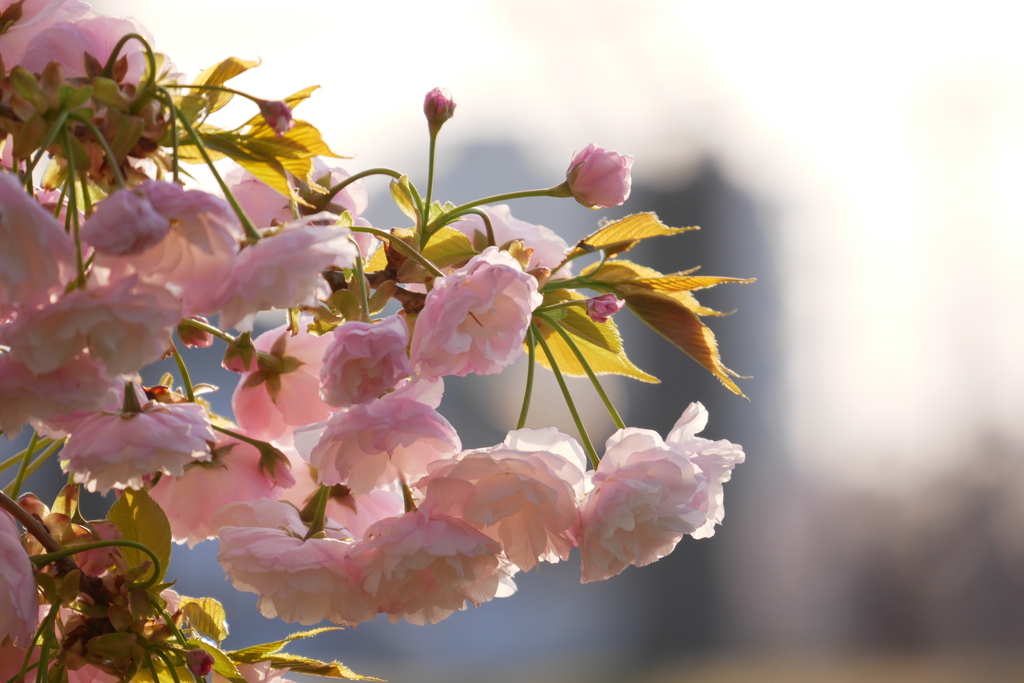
(865, 162)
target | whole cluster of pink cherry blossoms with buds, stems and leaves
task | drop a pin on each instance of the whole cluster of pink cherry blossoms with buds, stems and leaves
(338, 491)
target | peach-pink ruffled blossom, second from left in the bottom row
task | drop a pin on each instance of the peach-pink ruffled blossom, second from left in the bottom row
(423, 570)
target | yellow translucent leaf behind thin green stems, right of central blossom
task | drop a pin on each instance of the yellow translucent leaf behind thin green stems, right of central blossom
(601, 345)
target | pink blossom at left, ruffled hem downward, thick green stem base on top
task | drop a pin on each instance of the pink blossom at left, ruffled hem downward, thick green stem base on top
(111, 450)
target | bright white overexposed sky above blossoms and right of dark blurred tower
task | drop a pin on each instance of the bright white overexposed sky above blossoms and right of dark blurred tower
(887, 136)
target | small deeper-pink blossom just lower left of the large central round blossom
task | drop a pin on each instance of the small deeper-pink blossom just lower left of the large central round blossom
(364, 361)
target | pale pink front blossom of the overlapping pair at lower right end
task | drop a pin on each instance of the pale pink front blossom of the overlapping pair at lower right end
(642, 506)
